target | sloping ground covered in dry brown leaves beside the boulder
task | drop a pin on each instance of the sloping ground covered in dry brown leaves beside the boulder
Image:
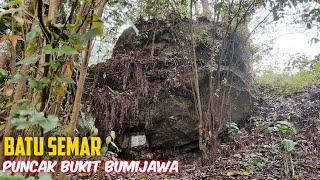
(254, 154)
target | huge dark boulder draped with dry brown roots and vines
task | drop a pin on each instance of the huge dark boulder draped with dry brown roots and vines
(146, 86)
